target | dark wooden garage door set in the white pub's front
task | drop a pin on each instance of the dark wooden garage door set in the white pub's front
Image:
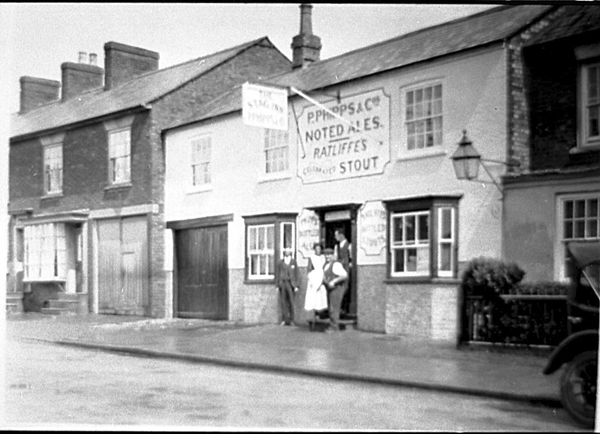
(202, 272)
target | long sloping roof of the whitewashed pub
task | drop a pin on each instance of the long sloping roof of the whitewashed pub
(454, 36)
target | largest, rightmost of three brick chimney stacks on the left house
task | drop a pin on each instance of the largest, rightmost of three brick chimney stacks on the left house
(124, 62)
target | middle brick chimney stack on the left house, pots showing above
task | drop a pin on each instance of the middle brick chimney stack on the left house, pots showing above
(78, 78)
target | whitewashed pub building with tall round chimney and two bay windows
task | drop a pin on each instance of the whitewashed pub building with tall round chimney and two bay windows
(367, 149)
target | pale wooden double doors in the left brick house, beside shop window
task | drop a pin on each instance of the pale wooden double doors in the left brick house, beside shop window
(123, 265)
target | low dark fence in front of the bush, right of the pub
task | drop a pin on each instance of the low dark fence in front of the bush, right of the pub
(521, 320)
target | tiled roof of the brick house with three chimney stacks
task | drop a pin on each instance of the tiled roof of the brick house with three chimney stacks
(137, 92)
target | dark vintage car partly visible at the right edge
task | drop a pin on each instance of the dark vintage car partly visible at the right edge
(579, 350)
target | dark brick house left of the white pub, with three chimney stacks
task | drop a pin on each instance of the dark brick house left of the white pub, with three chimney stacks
(87, 175)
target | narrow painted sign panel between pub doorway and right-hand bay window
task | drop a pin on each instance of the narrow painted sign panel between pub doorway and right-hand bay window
(372, 228)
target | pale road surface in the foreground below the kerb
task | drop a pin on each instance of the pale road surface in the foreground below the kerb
(49, 386)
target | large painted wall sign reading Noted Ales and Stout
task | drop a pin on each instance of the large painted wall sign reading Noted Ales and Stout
(331, 149)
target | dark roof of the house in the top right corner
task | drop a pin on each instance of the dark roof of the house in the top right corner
(572, 20)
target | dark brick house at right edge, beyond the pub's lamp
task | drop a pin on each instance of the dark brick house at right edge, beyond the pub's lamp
(556, 130)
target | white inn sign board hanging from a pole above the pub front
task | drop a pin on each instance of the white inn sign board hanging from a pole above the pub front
(264, 107)
